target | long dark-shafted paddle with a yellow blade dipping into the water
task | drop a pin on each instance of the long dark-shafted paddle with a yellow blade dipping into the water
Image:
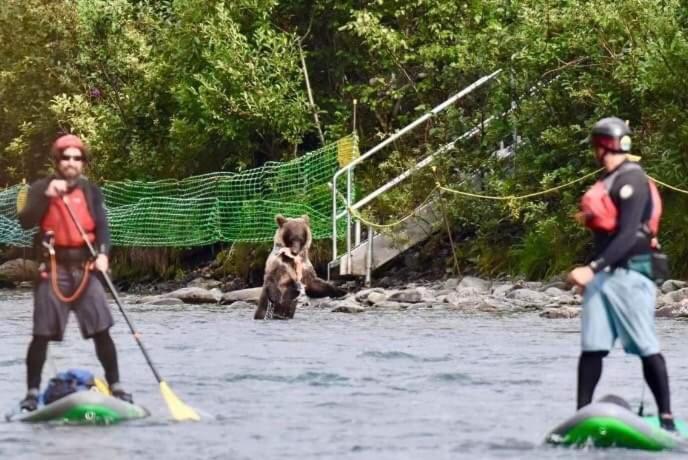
(179, 410)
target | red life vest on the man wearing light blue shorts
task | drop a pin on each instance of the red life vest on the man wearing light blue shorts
(600, 211)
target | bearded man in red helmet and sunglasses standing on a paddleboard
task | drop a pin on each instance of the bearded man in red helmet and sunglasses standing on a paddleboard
(65, 283)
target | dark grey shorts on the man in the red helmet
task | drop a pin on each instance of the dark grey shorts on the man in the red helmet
(92, 310)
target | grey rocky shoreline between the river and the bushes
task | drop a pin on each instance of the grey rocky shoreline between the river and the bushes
(470, 294)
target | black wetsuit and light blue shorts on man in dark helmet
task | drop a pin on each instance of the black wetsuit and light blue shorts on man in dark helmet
(620, 301)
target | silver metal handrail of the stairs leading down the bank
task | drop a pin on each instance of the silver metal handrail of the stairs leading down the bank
(349, 168)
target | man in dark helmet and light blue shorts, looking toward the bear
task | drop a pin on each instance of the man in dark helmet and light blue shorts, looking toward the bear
(623, 211)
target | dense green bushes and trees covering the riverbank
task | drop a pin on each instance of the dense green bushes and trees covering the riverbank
(175, 88)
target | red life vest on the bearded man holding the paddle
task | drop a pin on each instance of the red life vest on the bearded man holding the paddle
(58, 220)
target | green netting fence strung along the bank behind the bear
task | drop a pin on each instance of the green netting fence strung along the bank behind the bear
(216, 207)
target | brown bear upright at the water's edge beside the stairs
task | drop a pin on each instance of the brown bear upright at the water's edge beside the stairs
(288, 270)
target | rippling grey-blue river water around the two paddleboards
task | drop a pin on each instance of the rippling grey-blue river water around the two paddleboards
(377, 385)
